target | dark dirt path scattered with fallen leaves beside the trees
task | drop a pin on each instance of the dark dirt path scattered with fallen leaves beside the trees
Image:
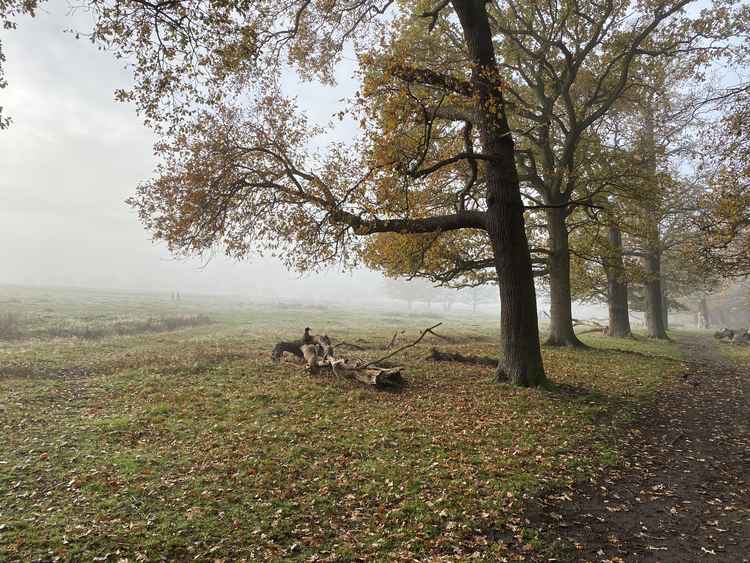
(684, 491)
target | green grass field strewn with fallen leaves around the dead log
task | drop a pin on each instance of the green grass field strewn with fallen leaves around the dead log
(146, 443)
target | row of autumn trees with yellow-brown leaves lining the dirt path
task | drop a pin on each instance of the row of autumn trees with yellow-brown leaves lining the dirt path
(500, 141)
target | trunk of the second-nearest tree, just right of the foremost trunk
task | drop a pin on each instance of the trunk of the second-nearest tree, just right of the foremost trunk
(561, 331)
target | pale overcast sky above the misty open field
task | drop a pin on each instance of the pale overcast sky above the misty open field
(73, 155)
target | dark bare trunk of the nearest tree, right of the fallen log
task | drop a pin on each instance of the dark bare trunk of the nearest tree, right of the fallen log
(521, 359)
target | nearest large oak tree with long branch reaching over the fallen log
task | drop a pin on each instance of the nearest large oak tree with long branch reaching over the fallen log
(238, 166)
